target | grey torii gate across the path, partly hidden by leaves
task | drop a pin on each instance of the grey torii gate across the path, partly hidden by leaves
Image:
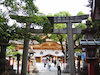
(69, 30)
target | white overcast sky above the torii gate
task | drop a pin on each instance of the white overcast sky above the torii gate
(55, 6)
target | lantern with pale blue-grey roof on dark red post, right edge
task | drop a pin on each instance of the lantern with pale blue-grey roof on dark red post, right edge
(91, 53)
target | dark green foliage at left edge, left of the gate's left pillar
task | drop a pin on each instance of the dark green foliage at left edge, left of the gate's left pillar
(6, 32)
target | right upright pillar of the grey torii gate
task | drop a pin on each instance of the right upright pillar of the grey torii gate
(71, 50)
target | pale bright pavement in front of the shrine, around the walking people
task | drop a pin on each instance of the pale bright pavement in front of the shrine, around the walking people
(44, 71)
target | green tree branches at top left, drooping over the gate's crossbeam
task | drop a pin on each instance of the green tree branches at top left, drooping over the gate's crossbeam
(26, 8)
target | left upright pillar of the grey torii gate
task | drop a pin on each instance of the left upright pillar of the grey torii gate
(25, 52)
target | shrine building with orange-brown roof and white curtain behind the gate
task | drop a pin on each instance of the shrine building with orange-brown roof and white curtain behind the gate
(48, 49)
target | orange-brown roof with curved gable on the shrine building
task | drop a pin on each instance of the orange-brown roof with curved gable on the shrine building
(49, 45)
